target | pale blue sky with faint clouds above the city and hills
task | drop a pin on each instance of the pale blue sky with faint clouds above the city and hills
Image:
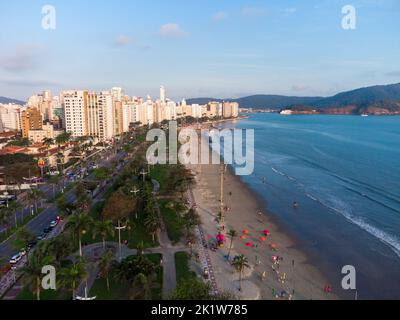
(203, 48)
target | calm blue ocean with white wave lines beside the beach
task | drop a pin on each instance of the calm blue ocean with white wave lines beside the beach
(344, 173)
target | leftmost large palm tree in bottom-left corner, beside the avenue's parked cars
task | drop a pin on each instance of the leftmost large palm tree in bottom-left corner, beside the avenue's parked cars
(32, 271)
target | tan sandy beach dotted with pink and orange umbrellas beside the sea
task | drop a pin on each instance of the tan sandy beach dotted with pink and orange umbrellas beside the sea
(294, 278)
